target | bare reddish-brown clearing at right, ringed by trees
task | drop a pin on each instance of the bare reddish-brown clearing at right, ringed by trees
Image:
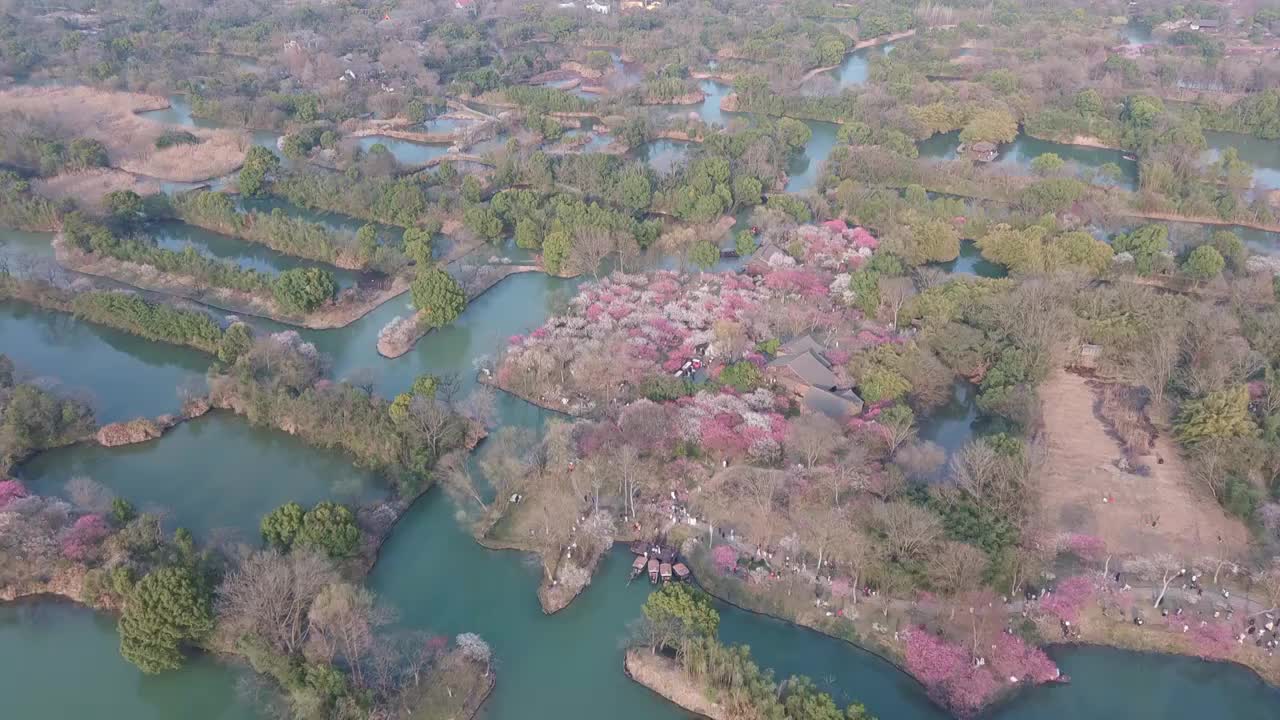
(1082, 471)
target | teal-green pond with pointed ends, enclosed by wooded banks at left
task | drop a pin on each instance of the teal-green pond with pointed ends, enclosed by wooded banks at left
(216, 476)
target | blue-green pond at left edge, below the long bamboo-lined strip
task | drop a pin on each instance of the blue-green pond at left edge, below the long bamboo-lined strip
(121, 375)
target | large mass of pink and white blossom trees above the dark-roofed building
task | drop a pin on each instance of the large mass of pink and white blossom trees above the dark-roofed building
(648, 325)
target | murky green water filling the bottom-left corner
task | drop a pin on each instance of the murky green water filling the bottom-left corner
(62, 662)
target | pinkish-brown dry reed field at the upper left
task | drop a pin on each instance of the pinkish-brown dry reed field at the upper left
(111, 119)
